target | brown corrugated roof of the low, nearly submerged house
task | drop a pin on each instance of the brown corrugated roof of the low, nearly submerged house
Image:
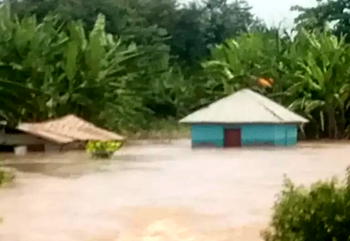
(68, 129)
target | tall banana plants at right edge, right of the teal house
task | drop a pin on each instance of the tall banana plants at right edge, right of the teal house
(321, 80)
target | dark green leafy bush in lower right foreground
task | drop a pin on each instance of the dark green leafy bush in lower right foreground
(318, 213)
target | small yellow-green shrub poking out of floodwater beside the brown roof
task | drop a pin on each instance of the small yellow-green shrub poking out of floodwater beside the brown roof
(103, 149)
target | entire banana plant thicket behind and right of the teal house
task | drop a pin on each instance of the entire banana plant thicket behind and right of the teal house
(309, 71)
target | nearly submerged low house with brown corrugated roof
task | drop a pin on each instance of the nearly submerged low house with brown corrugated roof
(68, 132)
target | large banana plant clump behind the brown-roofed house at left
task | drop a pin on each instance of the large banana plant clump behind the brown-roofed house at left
(65, 69)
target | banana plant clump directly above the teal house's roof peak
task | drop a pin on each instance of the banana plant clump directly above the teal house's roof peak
(239, 63)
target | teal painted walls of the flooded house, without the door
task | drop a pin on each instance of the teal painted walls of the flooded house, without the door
(260, 134)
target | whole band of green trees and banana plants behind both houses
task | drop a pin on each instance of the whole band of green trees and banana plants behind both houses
(128, 64)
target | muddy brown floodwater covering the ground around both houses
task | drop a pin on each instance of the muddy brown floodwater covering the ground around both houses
(157, 192)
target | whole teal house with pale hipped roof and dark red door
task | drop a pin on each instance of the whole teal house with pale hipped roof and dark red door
(244, 118)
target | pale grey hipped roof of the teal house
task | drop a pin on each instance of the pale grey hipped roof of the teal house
(244, 106)
